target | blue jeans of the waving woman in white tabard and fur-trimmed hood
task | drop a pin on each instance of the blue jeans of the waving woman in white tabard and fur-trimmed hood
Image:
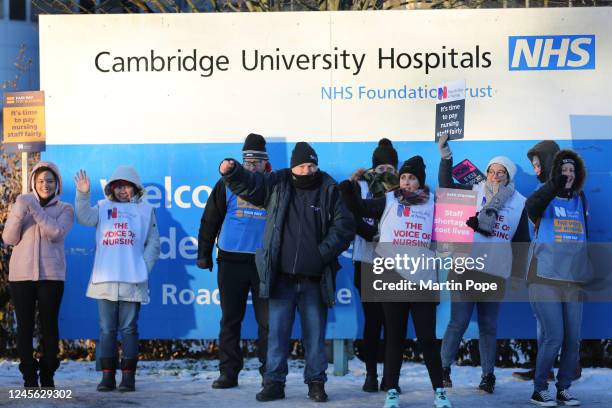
(114, 317)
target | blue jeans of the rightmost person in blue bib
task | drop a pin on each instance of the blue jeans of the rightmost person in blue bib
(560, 319)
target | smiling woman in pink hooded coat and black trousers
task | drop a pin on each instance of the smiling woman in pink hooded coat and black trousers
(36, 226)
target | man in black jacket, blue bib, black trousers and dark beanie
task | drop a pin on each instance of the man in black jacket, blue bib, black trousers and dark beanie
(238, 227)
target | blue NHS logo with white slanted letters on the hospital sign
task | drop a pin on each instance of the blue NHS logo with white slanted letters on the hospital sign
(551, 52)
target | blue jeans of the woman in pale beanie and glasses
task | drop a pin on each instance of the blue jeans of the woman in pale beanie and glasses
(461, 312)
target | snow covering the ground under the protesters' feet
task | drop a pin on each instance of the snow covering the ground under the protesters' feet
(187, 383)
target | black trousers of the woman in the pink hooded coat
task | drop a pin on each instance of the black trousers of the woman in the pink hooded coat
(26, 296)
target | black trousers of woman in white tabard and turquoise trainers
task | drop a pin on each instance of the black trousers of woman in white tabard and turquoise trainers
(396, 321)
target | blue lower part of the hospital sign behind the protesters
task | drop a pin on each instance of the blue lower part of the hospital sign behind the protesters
(184, 300)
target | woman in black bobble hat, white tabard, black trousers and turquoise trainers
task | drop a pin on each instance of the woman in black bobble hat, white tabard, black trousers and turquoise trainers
(415, 195)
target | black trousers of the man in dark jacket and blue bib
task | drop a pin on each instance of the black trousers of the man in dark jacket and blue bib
(235, 280)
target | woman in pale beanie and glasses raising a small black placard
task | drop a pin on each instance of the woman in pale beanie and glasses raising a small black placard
(500, 220)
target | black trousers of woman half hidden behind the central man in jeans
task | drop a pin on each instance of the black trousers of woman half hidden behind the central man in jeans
(373, 323)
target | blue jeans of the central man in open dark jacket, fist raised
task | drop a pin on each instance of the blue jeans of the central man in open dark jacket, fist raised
(305, 295)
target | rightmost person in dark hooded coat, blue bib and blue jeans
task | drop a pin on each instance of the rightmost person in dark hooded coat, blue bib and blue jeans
(558, 268)
